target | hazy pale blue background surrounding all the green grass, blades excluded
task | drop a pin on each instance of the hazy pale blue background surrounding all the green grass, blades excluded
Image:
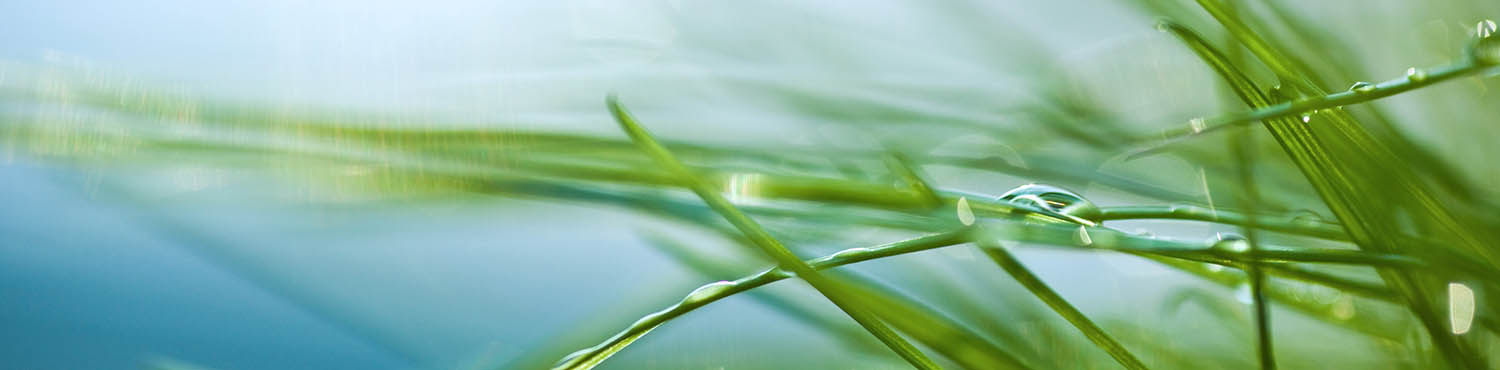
(187, 263)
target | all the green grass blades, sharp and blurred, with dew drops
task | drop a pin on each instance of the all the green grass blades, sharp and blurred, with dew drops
(1406, 222)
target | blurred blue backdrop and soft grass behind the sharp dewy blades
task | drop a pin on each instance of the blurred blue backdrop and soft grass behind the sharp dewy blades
(439, 185)
